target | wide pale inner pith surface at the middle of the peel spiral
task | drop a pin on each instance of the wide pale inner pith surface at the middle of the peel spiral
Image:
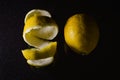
(41, 36)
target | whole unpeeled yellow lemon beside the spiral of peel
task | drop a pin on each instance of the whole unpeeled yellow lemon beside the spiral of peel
(81, 33)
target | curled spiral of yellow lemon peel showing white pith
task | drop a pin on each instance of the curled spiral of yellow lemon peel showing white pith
(39, 31)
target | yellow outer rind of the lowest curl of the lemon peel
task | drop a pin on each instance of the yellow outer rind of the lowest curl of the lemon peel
(44, 52)
